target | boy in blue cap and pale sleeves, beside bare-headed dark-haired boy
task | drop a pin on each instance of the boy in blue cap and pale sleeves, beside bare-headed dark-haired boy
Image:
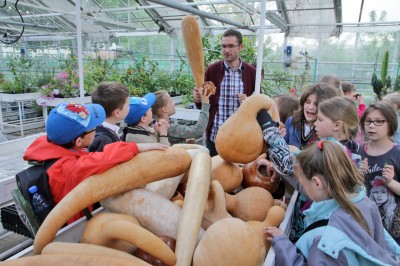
(139, 118)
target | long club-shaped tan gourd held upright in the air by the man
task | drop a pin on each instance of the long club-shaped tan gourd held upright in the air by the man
(194, 48)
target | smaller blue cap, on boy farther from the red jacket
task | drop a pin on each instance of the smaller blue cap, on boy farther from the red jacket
(138, 107)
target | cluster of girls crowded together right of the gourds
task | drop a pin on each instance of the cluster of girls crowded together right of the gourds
(348, 212)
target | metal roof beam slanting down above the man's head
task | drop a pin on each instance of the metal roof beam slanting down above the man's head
(173, 4)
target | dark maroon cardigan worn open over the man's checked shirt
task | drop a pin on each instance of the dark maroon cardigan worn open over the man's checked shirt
(215, 73)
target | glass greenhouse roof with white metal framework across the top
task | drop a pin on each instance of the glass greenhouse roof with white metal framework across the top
(102, 19)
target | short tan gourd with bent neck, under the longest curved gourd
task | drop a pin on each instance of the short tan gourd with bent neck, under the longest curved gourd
(105, 228)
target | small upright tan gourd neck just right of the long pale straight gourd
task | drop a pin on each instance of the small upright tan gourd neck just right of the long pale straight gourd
(216, 205)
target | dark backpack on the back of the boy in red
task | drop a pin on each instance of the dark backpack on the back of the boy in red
(35, 175)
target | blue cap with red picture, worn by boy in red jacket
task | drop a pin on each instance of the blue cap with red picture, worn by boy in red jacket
(68, 121)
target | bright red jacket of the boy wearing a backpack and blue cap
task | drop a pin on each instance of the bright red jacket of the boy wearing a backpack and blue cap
(75, 166)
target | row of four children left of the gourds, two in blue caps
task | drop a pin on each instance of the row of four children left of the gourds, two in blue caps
(85, 138)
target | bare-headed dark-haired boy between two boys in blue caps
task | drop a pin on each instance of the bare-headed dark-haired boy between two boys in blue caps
(114, 97)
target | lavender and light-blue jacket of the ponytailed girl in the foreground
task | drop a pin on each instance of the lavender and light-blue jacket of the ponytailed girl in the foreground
(342, 241)
